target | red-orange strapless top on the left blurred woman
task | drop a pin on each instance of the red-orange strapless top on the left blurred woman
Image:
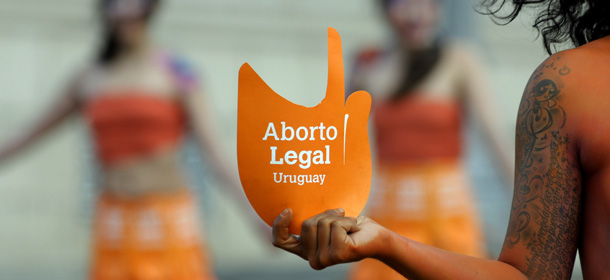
(135, 124)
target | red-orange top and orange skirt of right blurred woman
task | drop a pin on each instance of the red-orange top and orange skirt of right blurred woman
(421, 190)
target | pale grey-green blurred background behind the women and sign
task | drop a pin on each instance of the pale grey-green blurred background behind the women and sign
(45, 195)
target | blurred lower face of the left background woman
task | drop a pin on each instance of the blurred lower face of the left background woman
(127, 19)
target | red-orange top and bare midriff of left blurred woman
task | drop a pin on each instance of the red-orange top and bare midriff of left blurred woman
(138, 139)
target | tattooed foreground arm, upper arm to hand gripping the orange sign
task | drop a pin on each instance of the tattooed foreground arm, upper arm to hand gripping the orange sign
(542, 235)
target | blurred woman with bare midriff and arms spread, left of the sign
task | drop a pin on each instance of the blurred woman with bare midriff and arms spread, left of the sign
(138, 101)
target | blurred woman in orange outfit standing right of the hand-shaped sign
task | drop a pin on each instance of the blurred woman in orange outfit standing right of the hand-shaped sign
(422, 86)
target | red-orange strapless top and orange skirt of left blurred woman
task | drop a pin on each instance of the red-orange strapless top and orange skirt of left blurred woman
(149, 237)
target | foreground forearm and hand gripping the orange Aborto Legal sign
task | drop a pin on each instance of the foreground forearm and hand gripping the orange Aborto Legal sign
(330, 238)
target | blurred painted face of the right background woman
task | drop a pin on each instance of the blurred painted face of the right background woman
(415, 21)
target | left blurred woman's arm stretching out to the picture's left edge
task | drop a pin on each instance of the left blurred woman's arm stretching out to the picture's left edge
(62, 108)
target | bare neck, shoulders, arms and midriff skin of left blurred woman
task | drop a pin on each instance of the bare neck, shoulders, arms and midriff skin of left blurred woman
(135, 67)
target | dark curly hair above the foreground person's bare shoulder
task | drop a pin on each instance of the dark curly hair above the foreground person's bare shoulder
(558, 21)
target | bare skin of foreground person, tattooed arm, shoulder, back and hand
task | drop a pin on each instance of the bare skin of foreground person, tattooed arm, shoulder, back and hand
(561, 199)
